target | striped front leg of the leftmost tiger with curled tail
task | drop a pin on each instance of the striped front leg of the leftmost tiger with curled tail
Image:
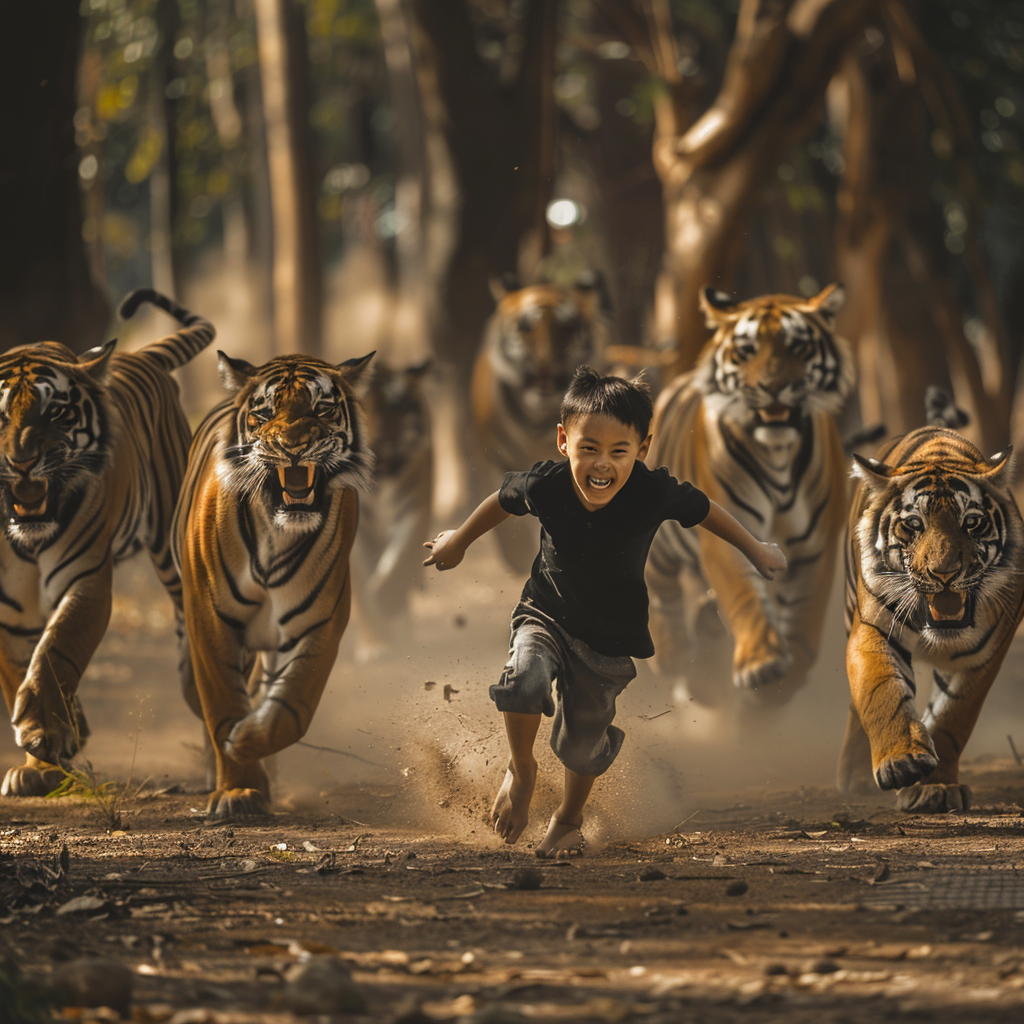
(47, 714)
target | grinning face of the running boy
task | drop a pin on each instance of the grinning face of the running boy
(602, 451)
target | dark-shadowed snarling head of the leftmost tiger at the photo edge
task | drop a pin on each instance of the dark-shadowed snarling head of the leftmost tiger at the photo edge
(55, 434)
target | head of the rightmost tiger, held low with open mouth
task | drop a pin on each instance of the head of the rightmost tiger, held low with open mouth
(941, 535)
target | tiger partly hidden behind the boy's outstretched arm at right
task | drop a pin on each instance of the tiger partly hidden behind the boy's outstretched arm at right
(754, 426)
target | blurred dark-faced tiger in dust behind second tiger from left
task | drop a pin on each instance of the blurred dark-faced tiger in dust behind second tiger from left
(396, 514)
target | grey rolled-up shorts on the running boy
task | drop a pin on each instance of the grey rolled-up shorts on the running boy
(541, 653)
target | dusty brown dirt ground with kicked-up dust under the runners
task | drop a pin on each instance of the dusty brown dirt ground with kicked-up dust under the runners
(726, 880)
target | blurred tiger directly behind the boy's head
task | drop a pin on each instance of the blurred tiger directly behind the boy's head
(533, 344)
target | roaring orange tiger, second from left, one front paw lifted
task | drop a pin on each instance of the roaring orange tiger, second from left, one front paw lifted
(263, 535)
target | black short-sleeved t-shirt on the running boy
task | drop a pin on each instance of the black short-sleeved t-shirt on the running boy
(589, 573)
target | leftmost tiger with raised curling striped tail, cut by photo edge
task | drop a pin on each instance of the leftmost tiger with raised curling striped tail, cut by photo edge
(93, 452)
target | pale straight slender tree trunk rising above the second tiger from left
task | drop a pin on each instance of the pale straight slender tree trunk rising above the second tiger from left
(297, 265)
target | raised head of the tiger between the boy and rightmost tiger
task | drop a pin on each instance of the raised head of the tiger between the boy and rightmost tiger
(774, 360)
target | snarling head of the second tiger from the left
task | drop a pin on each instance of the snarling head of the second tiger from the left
(300, 436)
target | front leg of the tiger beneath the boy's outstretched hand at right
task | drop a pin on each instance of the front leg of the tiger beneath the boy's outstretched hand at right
(761, 655)
